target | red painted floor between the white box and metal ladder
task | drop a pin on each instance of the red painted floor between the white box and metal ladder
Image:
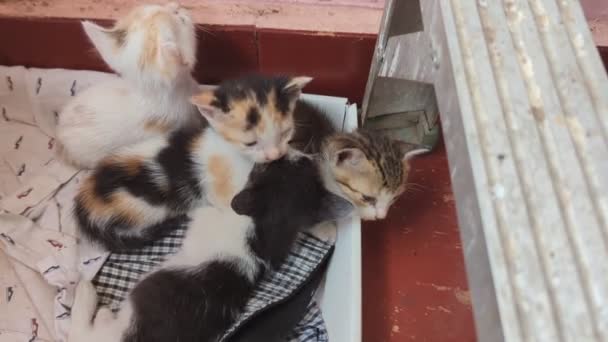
(414, 280)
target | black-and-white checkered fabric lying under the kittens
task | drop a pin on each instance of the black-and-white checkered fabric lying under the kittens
(122, 270)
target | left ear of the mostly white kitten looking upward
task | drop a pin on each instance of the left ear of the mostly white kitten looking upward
(106, 41)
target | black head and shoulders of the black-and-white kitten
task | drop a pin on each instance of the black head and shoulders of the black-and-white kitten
(283, 198)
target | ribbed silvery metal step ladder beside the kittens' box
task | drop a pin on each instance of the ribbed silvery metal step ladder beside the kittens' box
(523, 100)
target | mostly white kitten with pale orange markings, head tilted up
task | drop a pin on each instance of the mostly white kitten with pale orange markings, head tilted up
(153, 49)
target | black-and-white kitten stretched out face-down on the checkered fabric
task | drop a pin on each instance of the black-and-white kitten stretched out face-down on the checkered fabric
(200, 291)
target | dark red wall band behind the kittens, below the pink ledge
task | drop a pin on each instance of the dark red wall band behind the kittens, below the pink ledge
(338, 62)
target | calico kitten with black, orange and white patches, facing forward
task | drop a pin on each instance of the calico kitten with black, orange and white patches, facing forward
(128, 193)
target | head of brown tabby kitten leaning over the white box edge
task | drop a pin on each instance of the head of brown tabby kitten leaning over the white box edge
(367, 168)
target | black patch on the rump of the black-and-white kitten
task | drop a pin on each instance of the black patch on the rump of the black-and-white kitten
(188, 305)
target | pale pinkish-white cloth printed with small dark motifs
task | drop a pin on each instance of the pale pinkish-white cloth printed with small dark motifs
(39, 264)
